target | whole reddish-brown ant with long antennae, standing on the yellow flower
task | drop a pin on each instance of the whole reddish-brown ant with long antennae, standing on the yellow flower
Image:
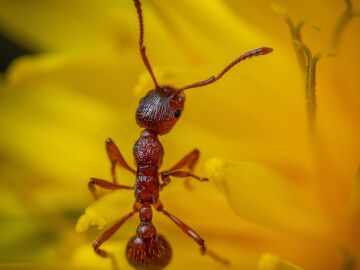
(157, 113)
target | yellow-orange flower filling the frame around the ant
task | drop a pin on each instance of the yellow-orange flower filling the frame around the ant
(273, 191)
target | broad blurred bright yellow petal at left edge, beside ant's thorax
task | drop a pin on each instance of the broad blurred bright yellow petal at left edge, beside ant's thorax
(45, 126)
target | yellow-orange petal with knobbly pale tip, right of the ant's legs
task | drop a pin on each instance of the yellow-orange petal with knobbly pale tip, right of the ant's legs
(261, 195)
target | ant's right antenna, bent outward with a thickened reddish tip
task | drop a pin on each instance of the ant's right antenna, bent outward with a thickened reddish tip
(212, 79)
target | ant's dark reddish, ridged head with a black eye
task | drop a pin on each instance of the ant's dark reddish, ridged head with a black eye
(160, 109)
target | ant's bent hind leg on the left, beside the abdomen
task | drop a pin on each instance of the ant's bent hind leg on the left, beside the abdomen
(106, 235)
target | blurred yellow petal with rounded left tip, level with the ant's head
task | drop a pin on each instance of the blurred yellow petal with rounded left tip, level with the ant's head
(112, 75)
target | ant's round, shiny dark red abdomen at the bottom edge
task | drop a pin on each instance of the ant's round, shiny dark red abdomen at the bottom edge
(148, 254)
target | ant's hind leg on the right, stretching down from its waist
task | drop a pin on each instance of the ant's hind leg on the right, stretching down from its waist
(191, 233)
